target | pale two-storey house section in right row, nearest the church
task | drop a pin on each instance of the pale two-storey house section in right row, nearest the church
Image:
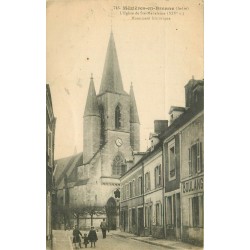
(141, 207)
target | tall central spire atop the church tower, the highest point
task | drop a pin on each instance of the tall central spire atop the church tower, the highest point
(111, 77)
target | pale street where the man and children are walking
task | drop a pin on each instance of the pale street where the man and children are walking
(63, 241)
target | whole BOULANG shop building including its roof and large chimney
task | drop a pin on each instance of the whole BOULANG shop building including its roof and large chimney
(192, 165)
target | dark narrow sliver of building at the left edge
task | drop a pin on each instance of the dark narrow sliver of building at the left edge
(50, 142)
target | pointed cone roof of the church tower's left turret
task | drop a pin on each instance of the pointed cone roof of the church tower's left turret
(91, 107)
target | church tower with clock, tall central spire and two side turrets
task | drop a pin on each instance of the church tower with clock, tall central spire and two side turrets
(111, 122)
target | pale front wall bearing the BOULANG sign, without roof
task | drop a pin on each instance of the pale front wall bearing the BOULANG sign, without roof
(192, 180)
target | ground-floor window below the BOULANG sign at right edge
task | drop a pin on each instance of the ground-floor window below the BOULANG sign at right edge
(197, 211)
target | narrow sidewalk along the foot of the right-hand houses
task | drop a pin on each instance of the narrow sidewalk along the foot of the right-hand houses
(170, 244)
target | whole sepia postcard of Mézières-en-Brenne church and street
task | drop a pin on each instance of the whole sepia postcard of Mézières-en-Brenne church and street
(125, 124)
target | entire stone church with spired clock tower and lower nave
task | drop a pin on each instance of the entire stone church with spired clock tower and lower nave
(88, 184)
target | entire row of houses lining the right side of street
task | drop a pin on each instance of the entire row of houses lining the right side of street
(171, 196)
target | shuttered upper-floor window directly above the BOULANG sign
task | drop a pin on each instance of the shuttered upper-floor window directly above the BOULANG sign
(194, 158)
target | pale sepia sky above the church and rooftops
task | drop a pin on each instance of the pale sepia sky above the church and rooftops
(158, 56)
